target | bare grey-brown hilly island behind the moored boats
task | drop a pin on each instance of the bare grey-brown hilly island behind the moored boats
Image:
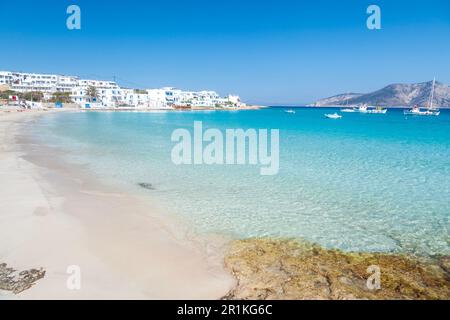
(394, 95)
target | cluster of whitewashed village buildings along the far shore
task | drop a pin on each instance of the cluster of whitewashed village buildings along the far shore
(109, 94)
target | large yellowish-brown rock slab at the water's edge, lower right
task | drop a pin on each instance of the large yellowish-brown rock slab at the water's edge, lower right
(291, 269)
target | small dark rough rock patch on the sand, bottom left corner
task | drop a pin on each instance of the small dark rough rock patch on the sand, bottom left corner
(18, 281)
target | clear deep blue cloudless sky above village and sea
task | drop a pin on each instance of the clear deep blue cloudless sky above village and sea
(271, 52)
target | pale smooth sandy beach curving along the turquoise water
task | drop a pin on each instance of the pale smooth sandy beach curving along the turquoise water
(53, 216)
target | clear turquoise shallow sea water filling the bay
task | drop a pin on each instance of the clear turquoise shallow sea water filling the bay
(364, 182)
